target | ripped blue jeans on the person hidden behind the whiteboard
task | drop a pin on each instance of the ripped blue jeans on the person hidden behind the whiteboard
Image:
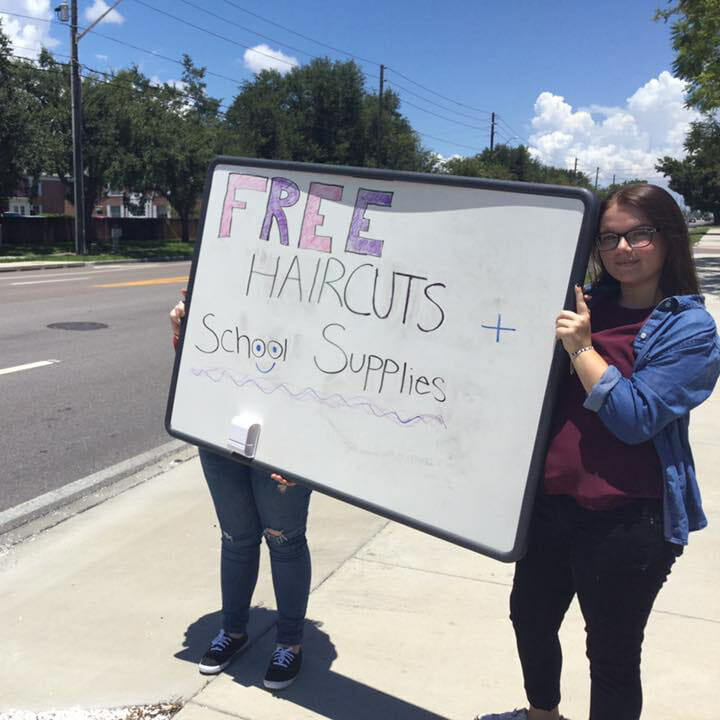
(250, 506)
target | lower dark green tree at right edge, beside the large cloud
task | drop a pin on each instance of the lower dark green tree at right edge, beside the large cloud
(697, 177)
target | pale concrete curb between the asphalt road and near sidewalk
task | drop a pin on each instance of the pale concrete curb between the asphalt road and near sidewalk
(52, 508)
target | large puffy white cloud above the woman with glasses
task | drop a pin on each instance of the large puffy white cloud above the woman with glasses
(621, 141)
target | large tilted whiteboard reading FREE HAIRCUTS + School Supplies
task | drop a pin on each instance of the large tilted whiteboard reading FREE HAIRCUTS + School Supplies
(387, 338)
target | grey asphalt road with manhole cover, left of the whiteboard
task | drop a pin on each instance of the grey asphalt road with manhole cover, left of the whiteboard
(102, 399)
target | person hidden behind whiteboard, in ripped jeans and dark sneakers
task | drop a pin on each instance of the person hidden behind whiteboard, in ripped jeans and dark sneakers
(251, 504)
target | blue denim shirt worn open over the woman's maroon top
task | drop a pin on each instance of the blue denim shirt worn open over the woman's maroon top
(677, 362)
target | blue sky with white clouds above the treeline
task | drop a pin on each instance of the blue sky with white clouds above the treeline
(568, 78)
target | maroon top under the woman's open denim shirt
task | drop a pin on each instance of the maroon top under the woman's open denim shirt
(585, 460)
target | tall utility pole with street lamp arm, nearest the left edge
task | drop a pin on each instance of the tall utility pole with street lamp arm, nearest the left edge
(76, 116)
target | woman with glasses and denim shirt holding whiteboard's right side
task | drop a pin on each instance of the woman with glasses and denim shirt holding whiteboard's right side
(619, 493)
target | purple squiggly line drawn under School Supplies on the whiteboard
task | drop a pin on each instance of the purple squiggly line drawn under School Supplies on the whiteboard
(332, 401)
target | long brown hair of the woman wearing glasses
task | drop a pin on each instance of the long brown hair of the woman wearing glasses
(678, 275)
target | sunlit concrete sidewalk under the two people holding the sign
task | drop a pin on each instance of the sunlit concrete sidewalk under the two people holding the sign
(114, 606)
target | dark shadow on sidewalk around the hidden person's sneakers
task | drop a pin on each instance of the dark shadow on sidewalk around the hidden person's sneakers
(318, 688)
